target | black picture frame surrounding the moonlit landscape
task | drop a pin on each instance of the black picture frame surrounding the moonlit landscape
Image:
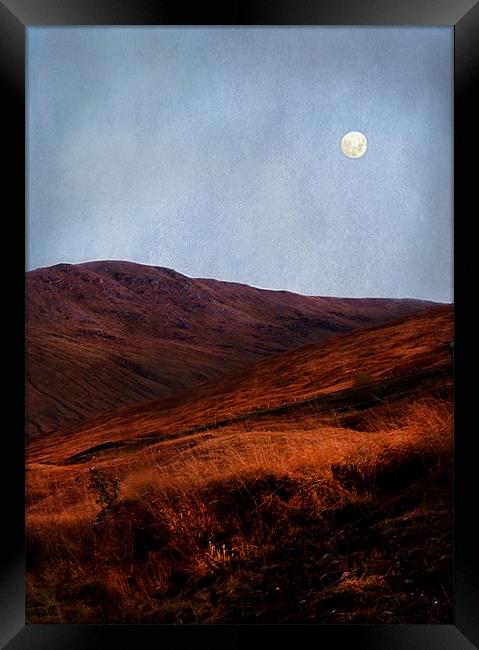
(18, 15)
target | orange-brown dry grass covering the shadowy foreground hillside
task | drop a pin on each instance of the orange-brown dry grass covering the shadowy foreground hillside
(317, 522)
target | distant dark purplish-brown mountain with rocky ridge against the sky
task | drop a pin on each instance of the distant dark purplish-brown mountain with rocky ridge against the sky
(101, 335)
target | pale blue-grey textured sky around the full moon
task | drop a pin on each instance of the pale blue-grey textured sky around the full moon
(216, 152)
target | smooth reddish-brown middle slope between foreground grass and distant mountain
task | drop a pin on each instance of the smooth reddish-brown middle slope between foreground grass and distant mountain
(395, 360)
